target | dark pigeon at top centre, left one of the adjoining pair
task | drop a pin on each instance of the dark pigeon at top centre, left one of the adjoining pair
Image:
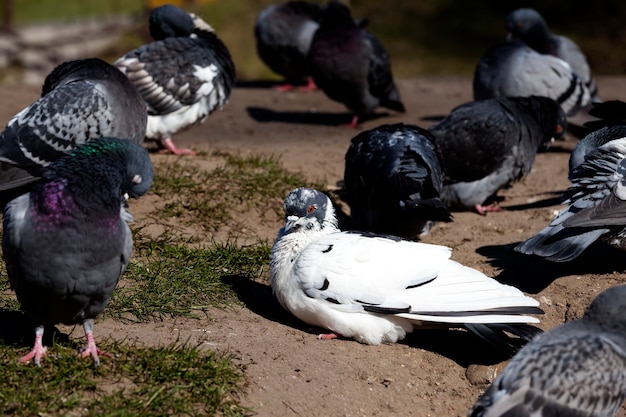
(283, 34)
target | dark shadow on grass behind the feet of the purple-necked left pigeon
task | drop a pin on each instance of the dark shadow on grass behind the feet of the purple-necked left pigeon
(18, 331)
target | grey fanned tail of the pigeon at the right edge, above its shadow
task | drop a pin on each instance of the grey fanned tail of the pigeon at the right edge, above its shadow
(559, 244)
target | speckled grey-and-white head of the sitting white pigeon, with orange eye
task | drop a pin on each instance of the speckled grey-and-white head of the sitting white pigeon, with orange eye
(308, 209)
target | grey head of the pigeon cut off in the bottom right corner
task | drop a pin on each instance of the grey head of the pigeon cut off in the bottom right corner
(608, 310)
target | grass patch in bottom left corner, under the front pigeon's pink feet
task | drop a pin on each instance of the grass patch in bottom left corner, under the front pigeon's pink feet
(172, 380)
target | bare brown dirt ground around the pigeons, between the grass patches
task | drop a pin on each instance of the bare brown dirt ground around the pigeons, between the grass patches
(289, 371)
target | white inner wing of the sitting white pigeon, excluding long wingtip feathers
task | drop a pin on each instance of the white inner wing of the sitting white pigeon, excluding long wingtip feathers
(355, 271)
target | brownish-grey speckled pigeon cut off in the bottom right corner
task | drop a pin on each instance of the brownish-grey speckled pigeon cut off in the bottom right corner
(576, 369)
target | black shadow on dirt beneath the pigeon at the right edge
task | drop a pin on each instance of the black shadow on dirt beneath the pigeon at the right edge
(532, 274)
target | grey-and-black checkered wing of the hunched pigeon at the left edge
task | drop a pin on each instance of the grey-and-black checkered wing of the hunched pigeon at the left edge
(56, 123)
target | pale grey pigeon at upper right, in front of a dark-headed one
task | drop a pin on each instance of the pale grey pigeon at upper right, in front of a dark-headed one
(513, 69)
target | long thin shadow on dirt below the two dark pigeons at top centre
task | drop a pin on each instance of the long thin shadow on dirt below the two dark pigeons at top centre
(264, 115)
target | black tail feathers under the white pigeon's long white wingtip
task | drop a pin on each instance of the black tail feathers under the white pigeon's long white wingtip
(506, 337)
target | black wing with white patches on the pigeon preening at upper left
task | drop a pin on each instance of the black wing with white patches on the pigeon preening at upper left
(177, 72)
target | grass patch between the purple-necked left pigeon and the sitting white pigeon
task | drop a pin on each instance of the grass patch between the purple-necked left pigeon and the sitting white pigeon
(168, 280)
